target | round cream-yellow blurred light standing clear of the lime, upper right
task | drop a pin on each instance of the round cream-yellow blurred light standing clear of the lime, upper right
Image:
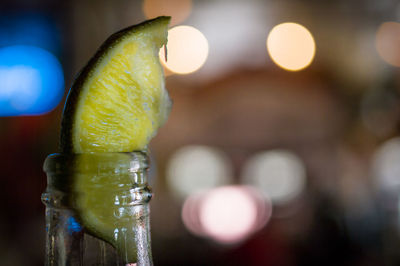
(291, 46)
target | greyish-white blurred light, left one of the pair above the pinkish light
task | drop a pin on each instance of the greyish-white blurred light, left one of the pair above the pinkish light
(195, 168)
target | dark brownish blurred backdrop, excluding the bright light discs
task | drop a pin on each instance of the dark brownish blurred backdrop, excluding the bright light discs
(339, 116)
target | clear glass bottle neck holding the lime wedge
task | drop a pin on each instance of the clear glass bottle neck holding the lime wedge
(97, 209)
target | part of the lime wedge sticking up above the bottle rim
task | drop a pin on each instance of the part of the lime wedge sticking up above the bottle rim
(118, 101)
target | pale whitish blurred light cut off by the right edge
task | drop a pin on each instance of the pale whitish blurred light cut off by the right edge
(386, 166)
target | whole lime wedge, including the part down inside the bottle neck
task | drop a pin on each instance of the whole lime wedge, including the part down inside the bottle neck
(116, 104)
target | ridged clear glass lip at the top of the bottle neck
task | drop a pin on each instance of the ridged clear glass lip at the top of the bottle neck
(121, 175)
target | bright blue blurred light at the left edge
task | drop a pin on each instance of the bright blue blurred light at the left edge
(31, 81)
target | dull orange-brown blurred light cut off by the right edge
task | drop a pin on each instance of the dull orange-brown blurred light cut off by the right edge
(388, 42)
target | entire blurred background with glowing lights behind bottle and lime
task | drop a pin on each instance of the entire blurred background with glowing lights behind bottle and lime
(282, 147)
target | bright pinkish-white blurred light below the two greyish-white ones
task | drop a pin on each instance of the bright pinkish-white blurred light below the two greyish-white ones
(227, 214)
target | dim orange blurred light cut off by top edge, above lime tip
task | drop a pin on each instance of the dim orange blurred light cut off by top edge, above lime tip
(179, 10)
